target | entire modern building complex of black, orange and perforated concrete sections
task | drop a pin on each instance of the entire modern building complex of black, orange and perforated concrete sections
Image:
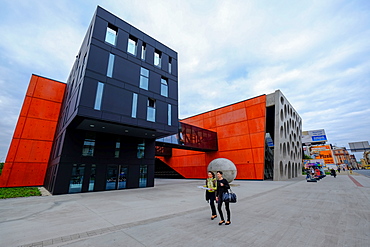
(115, 122)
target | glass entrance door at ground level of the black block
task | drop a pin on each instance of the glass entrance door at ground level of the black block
(116, 177)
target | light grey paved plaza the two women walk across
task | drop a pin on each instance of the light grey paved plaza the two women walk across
(331, 212)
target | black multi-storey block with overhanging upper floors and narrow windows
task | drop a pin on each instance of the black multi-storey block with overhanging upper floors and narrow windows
(122, 94)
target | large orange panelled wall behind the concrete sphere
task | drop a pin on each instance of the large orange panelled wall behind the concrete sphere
(241, 131)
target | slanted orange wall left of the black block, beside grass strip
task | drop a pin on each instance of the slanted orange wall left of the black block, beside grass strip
(30, 148)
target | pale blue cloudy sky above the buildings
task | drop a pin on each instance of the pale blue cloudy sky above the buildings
(316, 52)
